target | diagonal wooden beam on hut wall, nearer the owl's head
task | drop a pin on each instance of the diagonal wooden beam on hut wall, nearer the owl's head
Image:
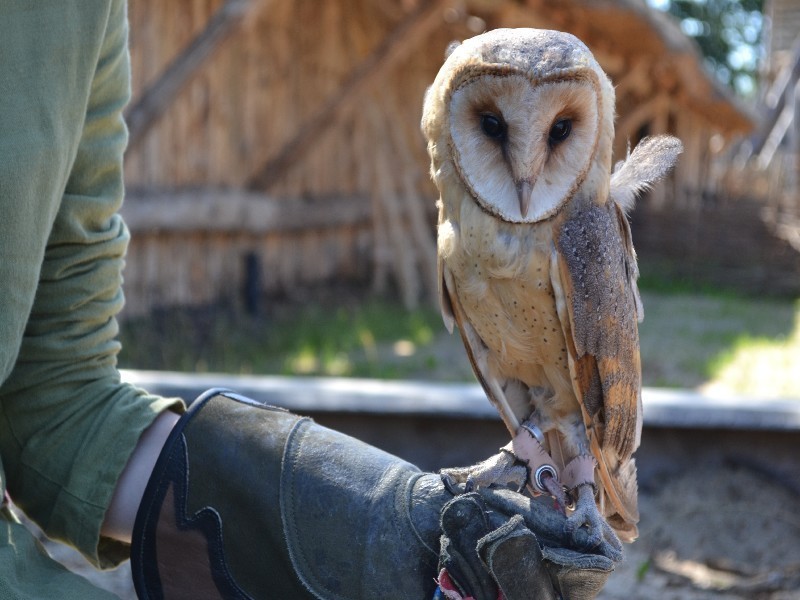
(405, 38)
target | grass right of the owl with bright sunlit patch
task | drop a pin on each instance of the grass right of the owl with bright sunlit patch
(694, 340)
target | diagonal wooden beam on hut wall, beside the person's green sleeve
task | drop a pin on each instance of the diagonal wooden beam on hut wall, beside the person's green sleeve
(156, 99)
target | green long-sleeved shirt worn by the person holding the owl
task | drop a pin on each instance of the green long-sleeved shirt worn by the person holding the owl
(67, 424)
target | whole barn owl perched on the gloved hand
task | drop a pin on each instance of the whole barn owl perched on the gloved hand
(536, 264)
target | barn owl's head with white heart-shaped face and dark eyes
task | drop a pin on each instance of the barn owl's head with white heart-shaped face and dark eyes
(524, 118)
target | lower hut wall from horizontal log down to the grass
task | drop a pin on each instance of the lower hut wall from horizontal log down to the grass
(201, 248)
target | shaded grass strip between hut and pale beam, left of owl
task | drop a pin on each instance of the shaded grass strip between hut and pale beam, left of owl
(373, 339)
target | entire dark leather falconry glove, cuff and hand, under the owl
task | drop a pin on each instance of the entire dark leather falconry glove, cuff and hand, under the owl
(251, 501)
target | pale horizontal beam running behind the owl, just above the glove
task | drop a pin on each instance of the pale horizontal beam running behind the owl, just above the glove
(680, 409)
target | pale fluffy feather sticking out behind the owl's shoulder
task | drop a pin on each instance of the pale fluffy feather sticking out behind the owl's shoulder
(652, 159)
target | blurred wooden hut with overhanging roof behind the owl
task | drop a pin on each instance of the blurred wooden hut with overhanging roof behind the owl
(276, 143)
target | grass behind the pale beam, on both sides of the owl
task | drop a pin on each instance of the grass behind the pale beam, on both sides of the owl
(725, 342)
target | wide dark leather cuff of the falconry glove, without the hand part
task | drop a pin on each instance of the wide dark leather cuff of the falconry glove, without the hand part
(251, 501)
